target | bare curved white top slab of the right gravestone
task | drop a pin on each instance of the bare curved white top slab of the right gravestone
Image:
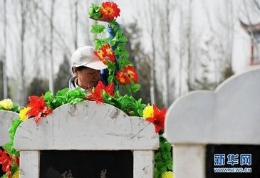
(230, 114)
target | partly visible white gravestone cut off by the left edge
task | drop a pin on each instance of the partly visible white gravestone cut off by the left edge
(6, 118)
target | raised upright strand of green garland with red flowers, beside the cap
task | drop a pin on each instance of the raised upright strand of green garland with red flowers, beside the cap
(121, 71)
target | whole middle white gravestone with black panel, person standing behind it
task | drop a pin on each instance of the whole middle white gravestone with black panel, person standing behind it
(88, 139)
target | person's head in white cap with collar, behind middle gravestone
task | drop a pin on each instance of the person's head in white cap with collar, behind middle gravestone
(85, 66)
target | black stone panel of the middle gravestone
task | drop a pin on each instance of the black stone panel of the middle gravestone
(86, 164)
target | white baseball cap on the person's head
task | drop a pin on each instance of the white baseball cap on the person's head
(84, 56)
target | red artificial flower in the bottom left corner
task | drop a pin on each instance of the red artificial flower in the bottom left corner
(6, 161)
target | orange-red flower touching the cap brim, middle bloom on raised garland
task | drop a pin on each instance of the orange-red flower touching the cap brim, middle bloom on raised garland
(105, 54)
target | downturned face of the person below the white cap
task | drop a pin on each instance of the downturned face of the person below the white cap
(87, 77)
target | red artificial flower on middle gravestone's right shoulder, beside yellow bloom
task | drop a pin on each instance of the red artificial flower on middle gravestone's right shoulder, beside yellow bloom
(158, 118)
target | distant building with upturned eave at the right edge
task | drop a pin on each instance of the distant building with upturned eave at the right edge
(253, 31)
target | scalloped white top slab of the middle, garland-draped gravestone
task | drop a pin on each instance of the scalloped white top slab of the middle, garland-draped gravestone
(86, 126)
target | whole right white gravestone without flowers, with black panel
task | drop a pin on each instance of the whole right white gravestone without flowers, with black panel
(216, 133)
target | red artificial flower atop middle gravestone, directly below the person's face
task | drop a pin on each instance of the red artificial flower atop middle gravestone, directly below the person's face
(96, 93)
